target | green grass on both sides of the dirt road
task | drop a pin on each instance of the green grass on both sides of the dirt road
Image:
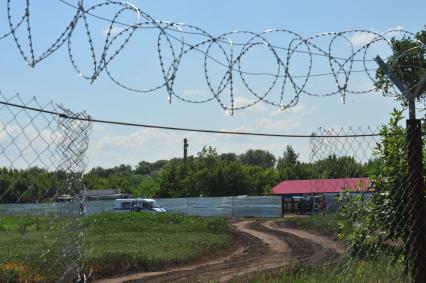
(39, 248)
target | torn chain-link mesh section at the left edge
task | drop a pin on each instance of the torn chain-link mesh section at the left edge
(42, 158)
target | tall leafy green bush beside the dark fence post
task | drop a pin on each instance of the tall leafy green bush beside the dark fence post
(374, 226)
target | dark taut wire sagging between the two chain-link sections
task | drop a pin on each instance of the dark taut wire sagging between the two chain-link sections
(110, 122)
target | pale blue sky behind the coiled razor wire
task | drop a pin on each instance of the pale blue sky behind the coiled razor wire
(55, 79)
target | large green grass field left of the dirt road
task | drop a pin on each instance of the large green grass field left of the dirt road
(38, 248)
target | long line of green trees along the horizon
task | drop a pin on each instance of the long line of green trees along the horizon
(254, 172)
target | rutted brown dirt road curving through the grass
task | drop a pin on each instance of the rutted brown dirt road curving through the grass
(262, 245)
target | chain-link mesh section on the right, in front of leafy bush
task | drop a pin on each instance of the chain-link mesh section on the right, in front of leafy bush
(380, 218)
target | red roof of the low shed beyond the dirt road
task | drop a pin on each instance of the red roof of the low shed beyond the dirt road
(291, 187)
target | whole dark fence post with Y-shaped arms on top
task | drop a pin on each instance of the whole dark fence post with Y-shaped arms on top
(415, 178)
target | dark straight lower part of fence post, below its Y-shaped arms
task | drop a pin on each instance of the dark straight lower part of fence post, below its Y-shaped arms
(417, 199)
